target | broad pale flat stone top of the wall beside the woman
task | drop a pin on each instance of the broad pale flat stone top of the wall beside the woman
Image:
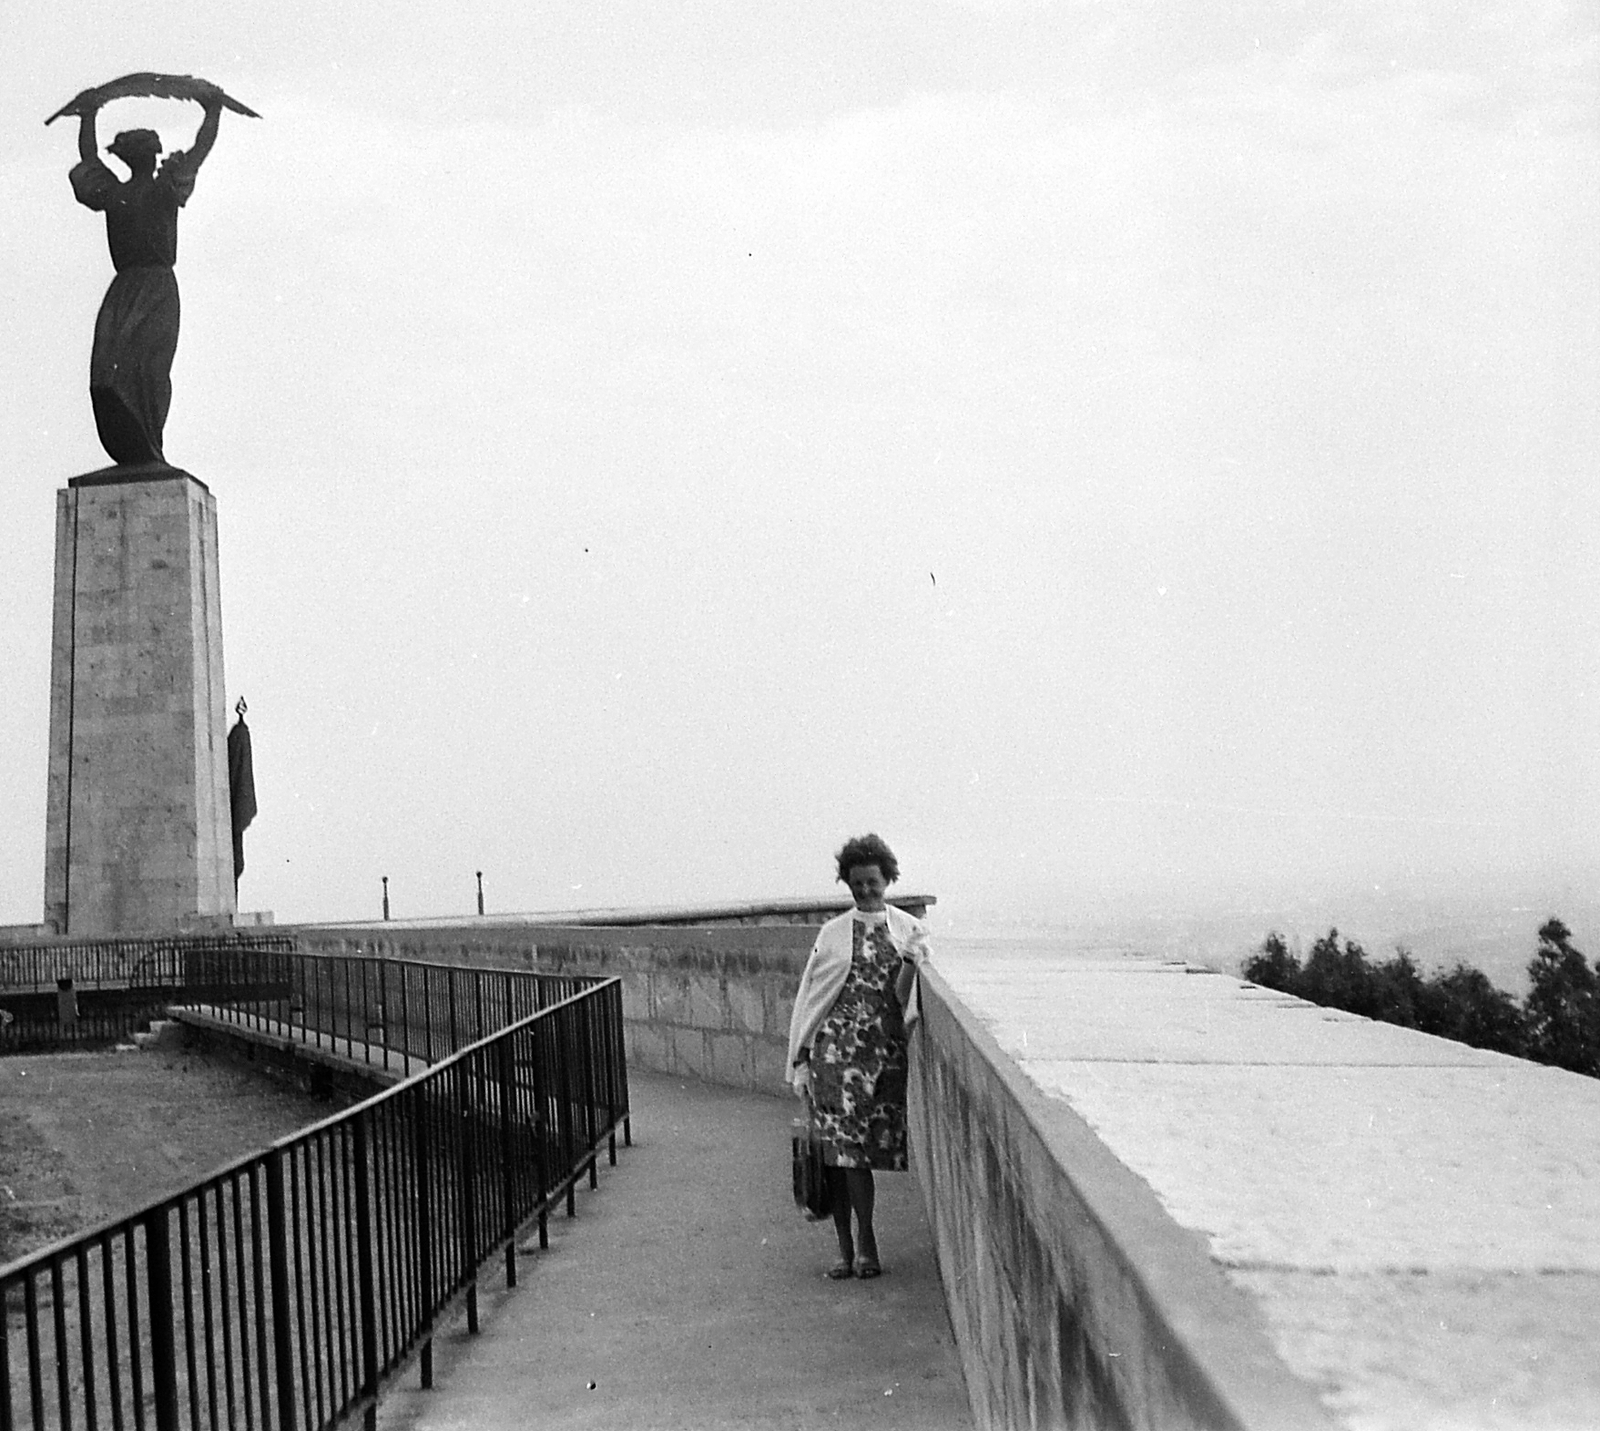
(1418, 1221)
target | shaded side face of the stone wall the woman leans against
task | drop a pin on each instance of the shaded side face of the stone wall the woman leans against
(1076, 1301)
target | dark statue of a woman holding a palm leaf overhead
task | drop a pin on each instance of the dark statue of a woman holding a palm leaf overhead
(137, 331)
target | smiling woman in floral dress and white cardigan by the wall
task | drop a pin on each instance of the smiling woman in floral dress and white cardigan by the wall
(847, 1044)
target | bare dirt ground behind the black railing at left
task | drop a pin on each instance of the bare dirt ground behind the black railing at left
(86, 1137)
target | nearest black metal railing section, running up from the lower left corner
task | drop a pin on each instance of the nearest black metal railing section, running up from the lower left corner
(284, 1291)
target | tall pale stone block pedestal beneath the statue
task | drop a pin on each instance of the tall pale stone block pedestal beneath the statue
(138, 832)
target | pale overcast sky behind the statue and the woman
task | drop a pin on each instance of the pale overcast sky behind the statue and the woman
(1114, 451)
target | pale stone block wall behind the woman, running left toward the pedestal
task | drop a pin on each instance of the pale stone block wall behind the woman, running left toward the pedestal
(706, 1003)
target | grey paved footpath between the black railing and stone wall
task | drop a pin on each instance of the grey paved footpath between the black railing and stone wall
(689, 1293)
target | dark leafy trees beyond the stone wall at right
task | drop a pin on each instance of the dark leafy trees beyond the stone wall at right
(1558, 1024)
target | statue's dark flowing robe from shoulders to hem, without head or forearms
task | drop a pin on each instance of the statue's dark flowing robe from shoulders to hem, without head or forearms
(137, 331)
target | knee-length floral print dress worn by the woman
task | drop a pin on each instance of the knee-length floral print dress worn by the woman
(858, 1060)
